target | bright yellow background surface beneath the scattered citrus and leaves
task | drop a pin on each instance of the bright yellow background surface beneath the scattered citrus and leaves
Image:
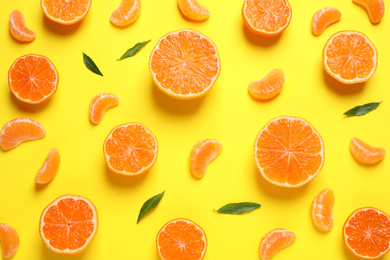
(227, 113)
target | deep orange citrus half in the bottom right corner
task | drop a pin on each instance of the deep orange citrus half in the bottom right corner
(366, 233)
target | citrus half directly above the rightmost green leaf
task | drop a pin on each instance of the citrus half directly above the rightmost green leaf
(350, 57)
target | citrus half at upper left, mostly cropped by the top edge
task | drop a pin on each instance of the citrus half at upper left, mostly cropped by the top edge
(65, 12)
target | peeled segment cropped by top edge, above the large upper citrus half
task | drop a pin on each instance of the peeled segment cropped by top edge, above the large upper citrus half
(193, 10)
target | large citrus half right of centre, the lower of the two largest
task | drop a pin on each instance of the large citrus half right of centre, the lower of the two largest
(289, 152)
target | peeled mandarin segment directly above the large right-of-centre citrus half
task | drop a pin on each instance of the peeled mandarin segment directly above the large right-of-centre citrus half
(267, 87)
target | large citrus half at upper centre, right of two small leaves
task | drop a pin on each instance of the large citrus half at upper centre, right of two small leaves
(184, 64)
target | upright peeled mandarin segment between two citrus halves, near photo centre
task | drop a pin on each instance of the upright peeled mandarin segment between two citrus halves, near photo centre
(202, 154)
